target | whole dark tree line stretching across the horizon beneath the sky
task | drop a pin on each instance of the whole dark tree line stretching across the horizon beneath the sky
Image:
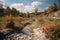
(14, 12)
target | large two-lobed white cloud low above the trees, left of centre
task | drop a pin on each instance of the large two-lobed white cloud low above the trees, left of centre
(23, 8)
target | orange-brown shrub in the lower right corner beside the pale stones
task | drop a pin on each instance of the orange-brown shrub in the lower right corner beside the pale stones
(52, 30)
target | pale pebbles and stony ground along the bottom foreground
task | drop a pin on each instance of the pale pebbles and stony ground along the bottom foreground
(37, 35)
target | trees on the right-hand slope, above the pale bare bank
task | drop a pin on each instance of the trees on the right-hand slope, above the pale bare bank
(52, 8)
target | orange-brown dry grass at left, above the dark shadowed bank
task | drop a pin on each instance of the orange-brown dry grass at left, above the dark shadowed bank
(5, 20)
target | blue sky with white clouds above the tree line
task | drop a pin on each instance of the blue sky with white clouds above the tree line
(29, 5)
